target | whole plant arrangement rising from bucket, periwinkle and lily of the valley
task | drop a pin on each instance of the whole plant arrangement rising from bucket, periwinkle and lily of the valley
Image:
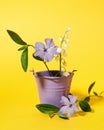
(42, 52)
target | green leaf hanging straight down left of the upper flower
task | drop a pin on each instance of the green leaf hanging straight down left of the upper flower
(24, 59)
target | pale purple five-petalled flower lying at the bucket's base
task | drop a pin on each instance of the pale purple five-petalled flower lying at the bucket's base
(68, 105)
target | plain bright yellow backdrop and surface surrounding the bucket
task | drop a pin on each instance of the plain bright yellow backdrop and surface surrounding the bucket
(33, 21)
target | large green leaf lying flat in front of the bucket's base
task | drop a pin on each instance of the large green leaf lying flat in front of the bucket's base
(47, 108)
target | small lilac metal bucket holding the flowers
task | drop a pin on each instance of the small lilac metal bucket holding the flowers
(51, 89)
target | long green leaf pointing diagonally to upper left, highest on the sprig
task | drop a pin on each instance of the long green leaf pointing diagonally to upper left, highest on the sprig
(15, 37)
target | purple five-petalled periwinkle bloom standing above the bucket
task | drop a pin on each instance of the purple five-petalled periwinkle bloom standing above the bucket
(46, 52)
